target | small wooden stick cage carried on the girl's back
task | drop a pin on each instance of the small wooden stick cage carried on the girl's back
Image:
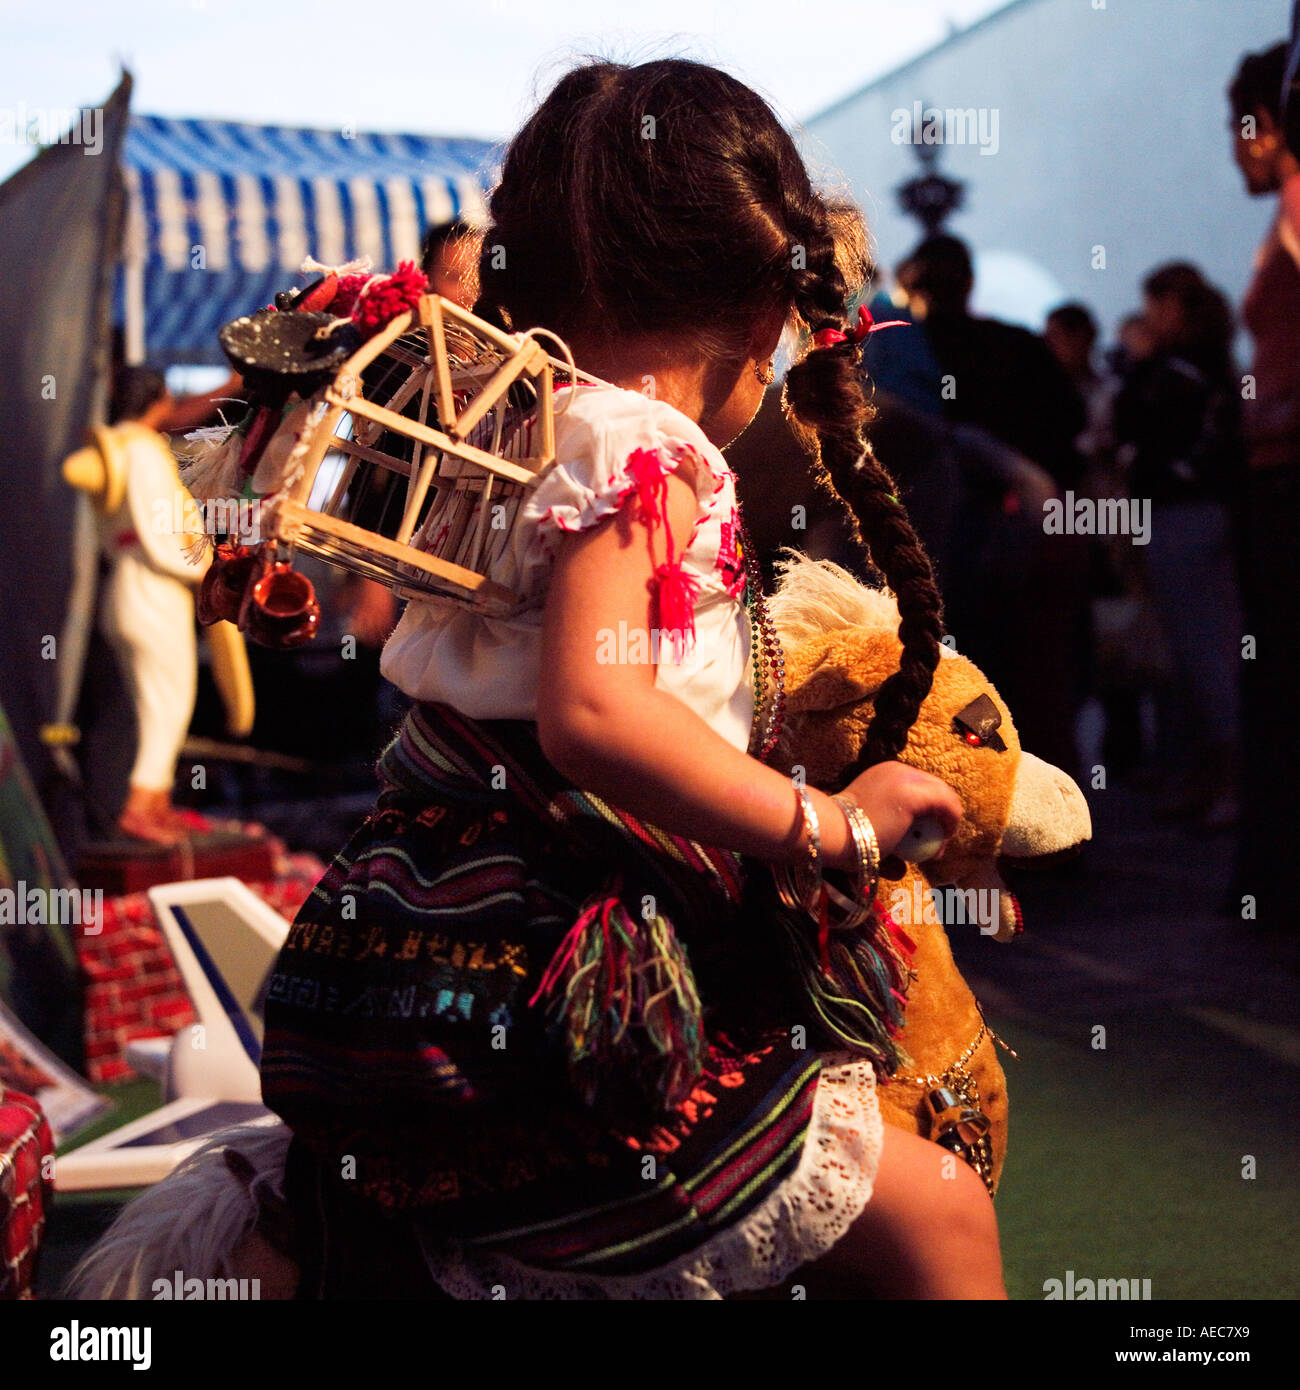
(464, 414)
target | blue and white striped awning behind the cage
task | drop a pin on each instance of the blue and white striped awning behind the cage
(222, 216)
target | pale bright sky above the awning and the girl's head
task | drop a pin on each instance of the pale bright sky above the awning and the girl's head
(441, 69)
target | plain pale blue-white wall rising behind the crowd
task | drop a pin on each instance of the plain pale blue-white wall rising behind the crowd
(1112, 130)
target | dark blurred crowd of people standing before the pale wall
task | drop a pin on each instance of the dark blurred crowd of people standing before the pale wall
(1178, 628)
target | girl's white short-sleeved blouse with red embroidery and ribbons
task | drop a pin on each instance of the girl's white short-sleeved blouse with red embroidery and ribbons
(489, 668)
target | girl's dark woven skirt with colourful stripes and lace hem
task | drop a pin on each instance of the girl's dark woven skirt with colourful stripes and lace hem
(437, 1129)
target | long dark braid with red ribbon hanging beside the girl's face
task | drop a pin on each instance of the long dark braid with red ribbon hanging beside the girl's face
(827, 395)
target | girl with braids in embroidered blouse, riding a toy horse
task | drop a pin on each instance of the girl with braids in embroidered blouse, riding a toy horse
(539, 1032)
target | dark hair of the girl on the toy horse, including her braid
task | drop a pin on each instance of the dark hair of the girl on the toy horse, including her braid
(667, 199)
